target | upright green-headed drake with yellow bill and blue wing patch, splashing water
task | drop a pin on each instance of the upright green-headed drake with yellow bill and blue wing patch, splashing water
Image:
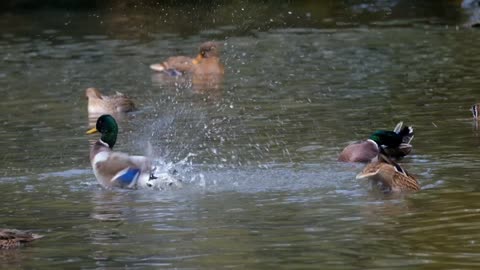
(116, 169)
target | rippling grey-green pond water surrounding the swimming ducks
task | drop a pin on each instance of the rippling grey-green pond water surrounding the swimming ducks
(262, 188)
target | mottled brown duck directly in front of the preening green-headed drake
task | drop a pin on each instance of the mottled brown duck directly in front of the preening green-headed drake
(388, 175)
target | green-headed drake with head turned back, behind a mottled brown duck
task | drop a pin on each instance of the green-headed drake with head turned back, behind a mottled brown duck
(395, 143)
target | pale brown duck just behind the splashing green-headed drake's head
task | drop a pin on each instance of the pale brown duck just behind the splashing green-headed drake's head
(99, 104)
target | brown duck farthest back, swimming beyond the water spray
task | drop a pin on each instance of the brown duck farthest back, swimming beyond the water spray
(206, 63)
